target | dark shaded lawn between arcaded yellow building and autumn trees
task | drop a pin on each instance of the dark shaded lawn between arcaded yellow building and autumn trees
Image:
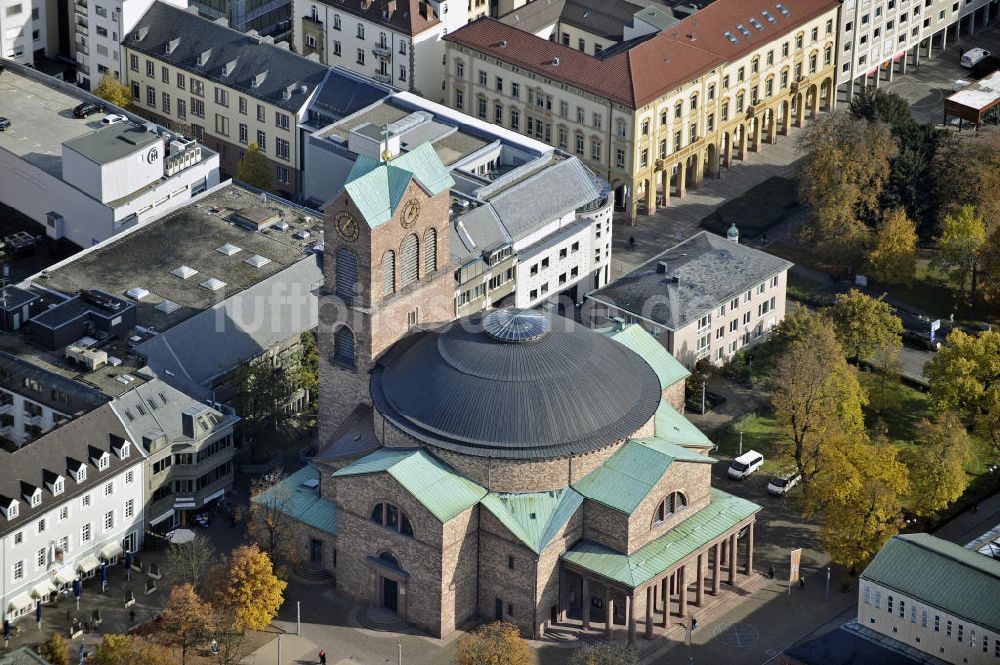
(750, 216)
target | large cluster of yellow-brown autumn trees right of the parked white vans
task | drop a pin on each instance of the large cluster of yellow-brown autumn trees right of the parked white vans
(854, 480)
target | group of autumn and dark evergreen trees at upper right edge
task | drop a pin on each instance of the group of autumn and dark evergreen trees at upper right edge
(880, 184)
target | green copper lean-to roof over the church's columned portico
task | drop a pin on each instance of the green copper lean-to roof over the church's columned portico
(723, 513)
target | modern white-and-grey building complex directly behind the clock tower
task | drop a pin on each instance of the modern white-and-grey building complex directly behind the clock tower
(504, 252)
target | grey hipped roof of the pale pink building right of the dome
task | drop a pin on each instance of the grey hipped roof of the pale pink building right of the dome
(709, 270)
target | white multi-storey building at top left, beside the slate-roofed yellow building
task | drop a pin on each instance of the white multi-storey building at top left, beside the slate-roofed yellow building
(100, 27)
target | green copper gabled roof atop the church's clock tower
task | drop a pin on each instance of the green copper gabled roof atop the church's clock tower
(377, 188)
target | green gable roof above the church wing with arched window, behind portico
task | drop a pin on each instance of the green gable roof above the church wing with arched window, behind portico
(625, 479)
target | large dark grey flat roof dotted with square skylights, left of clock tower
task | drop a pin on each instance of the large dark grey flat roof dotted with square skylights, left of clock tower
(191, 236)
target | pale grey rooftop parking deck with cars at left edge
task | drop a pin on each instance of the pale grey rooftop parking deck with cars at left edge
(41, 119)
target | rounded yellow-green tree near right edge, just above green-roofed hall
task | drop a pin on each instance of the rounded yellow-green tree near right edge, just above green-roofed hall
(937, 472)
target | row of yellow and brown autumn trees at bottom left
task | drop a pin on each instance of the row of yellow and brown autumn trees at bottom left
(220, 602)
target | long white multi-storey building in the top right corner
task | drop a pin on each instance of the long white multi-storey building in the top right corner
(878, 38)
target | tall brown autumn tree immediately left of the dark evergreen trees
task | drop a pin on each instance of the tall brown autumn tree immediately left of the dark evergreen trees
(844, 169)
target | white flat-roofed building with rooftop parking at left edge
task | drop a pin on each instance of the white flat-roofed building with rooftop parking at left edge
(83, 180)
